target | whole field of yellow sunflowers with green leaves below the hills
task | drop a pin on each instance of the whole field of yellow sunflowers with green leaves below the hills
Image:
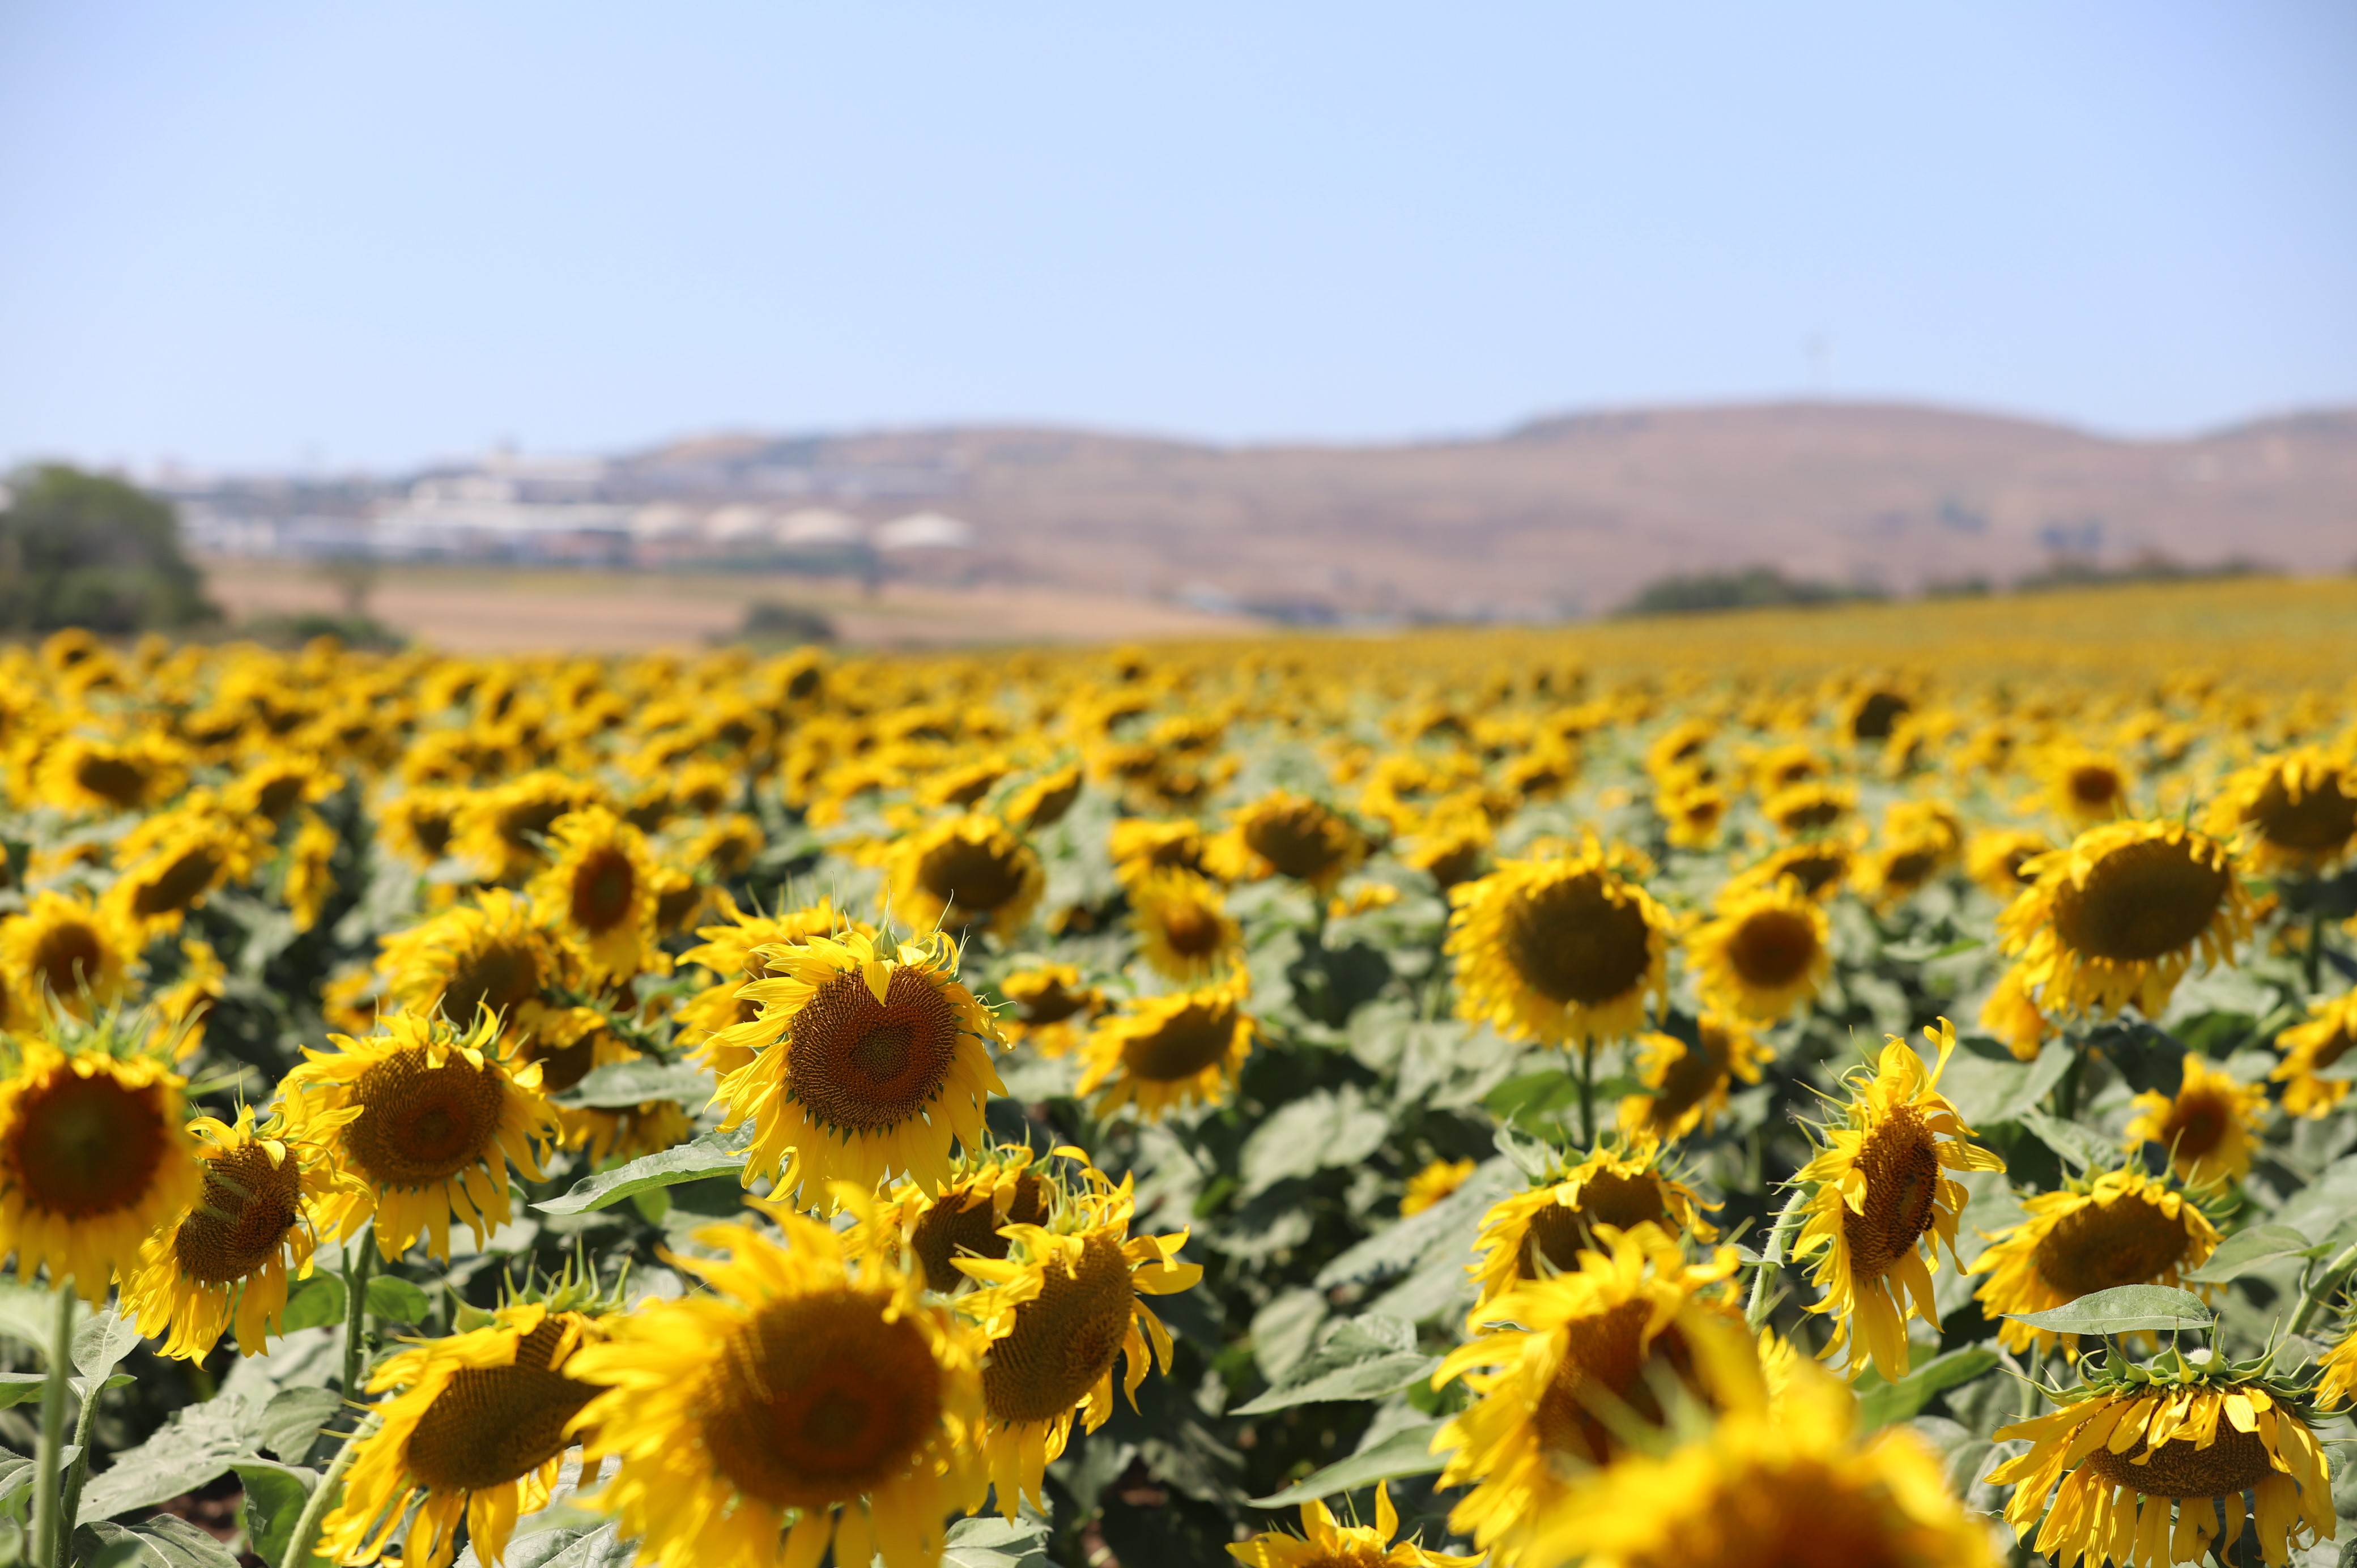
(1816, 1088)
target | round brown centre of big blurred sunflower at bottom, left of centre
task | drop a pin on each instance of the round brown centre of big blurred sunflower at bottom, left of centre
(821, 1399)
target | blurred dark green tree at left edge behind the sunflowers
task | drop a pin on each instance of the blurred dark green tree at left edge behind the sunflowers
(84, 551)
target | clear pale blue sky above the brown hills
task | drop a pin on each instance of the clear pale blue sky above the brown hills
(371, 235)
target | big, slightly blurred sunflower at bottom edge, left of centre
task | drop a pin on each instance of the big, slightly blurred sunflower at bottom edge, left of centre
(810, 1388)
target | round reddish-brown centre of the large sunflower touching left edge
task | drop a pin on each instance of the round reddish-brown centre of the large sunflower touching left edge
(86, 1147)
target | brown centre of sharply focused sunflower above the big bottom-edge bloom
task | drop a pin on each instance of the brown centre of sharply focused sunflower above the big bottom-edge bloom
(859, 1065)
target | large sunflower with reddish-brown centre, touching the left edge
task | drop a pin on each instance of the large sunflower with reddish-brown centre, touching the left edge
(93, 1159)
